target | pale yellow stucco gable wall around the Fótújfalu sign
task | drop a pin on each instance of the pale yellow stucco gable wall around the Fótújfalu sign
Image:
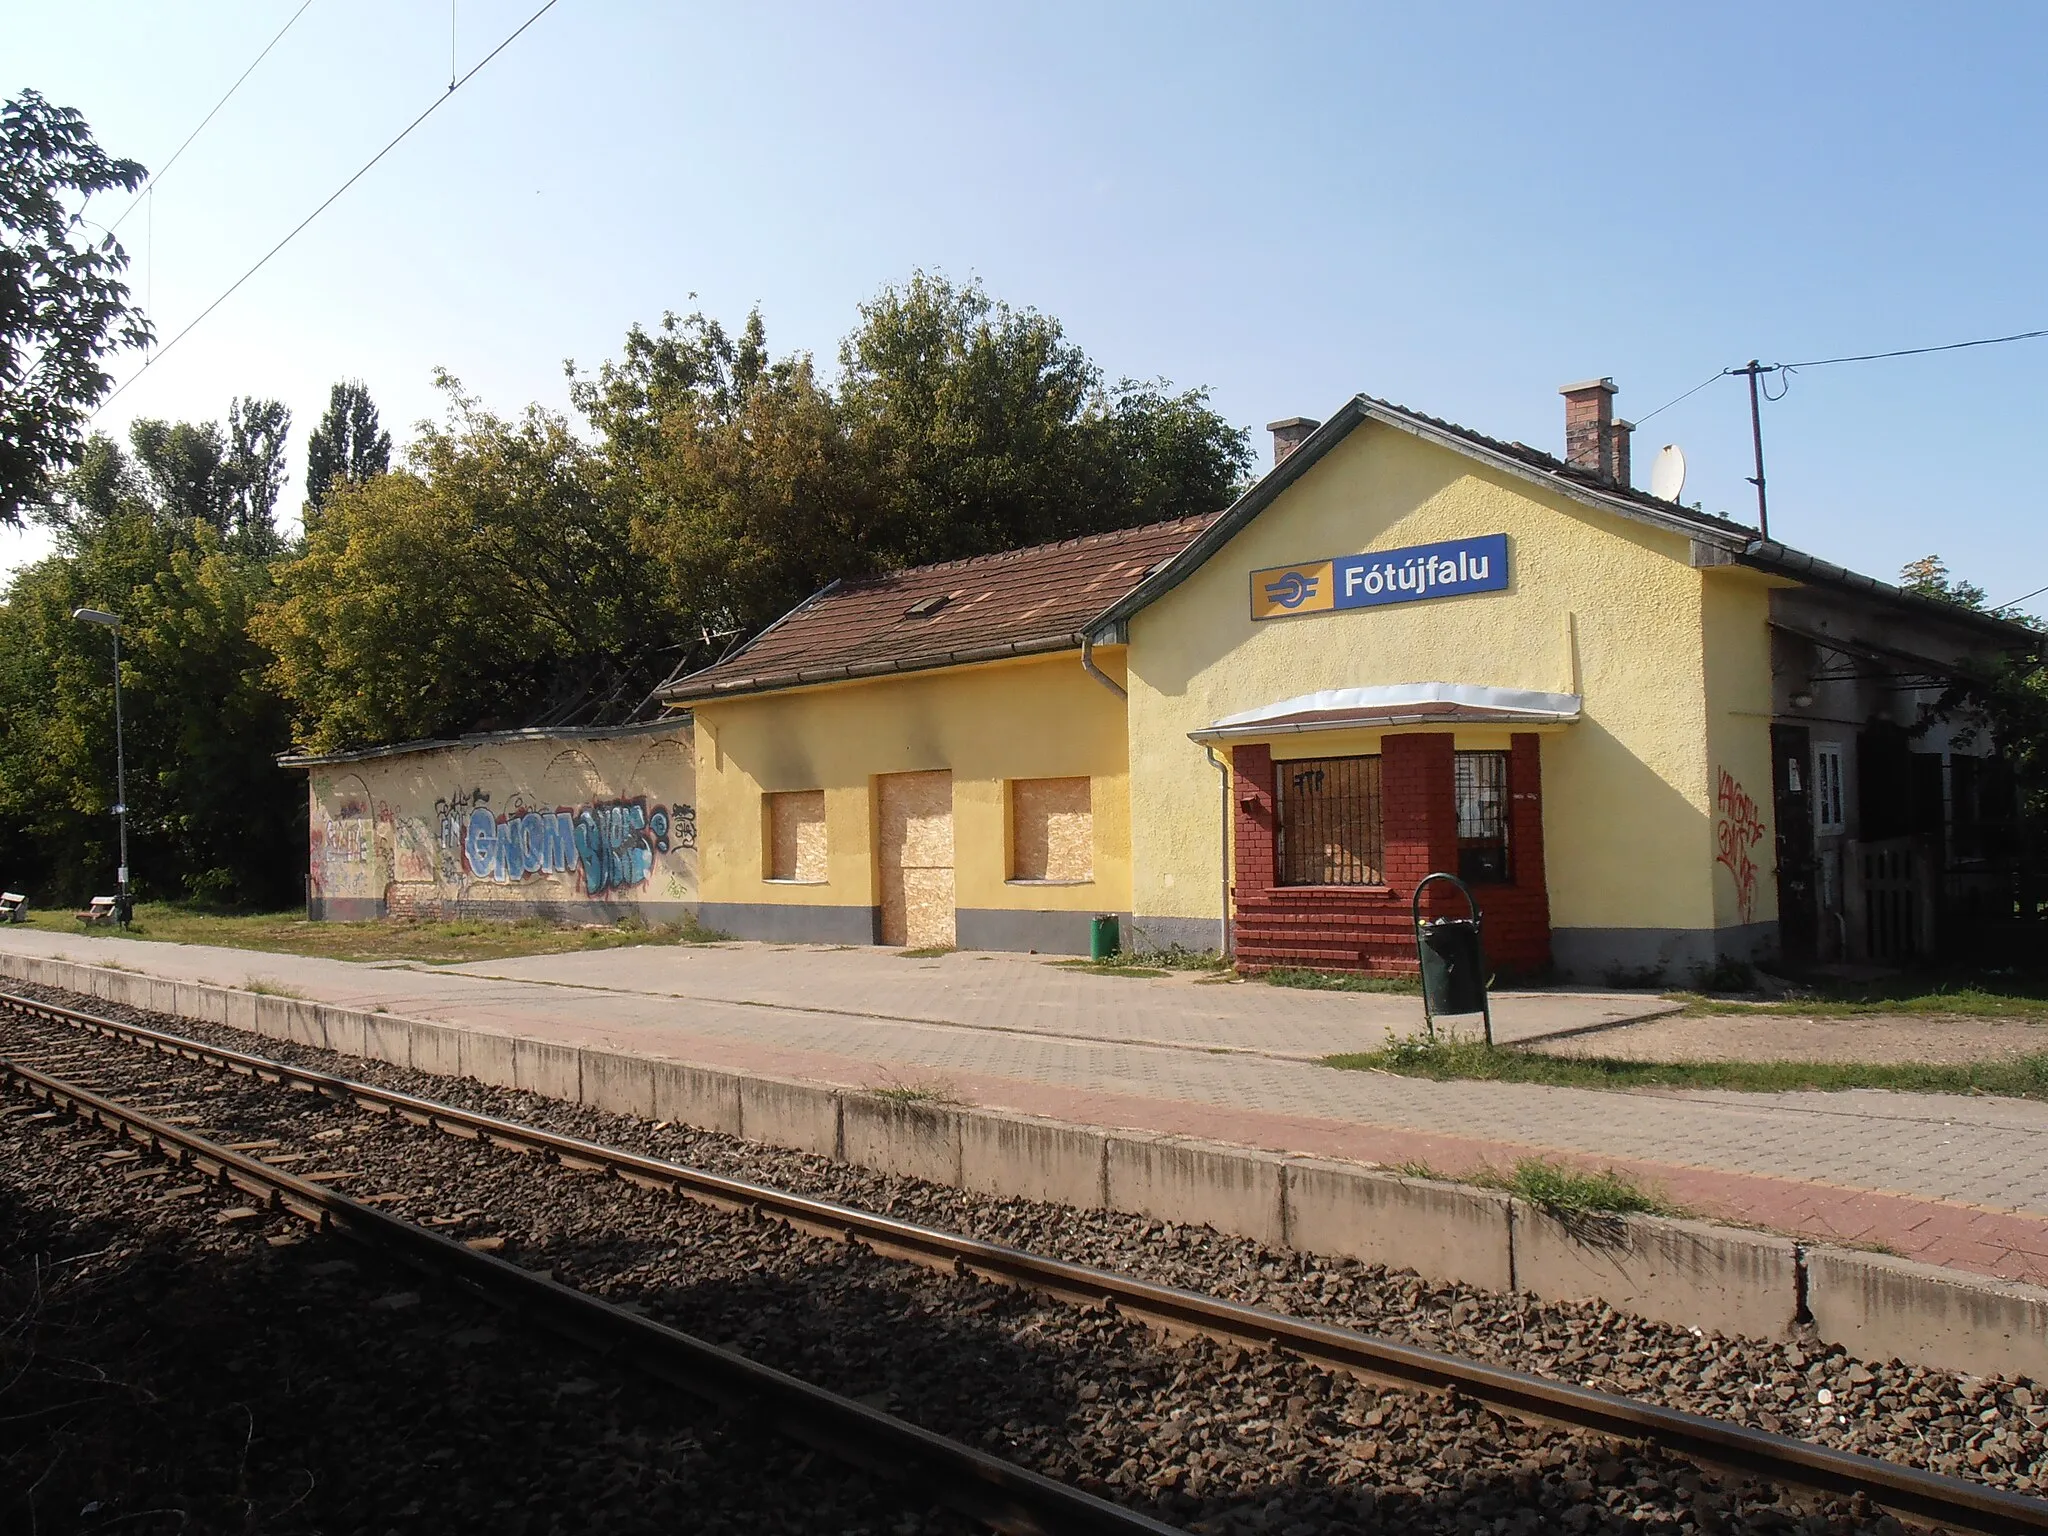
(1598, 605)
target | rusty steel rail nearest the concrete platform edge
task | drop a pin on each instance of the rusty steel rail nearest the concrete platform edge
(1775, 1457)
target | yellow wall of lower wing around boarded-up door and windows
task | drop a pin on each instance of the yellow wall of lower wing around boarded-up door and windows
(990, 724)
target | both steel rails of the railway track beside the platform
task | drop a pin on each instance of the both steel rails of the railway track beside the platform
(970, 1480)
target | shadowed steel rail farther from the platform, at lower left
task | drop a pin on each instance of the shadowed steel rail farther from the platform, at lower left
(927, 1465)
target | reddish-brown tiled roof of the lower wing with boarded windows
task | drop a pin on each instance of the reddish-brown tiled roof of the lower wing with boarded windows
(980, 609)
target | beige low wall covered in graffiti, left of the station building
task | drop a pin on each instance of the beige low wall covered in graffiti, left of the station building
(570, 826)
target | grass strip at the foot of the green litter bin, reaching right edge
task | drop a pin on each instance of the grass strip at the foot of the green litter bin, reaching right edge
(1449, 1058)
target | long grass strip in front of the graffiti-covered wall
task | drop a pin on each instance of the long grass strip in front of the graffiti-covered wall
(388, 939)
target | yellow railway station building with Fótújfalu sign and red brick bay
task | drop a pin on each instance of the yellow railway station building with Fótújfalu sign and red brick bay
(1646, 736)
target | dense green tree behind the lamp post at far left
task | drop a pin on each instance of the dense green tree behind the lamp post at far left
(210, 810)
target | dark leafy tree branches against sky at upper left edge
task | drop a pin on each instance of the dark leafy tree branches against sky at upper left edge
(65, 308)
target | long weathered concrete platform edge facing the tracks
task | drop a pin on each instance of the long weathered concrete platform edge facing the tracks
(1693, 1275)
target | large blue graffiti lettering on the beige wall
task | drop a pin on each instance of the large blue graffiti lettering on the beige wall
(607, 845)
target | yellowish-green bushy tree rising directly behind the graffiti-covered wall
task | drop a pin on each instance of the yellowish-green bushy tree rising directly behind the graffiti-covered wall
(486, 585)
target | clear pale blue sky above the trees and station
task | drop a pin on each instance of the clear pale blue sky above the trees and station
(1451, 206)
